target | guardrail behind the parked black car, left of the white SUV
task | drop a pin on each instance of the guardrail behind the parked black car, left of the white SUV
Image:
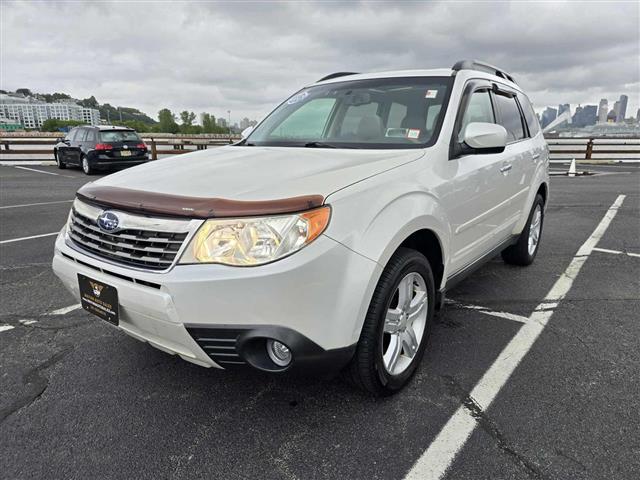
(178, 144)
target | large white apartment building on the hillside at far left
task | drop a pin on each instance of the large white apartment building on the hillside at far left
(33, 115)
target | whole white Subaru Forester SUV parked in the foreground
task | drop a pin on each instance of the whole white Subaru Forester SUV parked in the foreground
(325, 239)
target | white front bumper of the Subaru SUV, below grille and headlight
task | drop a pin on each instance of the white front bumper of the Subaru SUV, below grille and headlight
(315, 300)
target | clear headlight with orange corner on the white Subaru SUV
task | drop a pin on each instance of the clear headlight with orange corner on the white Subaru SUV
(254, 241)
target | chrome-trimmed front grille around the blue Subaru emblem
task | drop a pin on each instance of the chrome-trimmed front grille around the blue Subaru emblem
(141, 242)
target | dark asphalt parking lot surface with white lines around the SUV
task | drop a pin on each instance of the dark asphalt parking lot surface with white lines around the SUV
(79, 399)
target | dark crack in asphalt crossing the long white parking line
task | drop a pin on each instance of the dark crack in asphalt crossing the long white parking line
(490, 427)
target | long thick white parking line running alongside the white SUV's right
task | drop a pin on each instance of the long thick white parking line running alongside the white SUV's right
(435, 461)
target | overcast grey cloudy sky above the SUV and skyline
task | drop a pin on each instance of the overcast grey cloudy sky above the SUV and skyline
(247, 56)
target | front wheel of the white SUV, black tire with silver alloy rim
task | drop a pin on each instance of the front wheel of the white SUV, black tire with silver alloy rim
(372, 368)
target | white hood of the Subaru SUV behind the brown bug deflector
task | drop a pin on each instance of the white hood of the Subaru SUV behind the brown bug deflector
(259, 173)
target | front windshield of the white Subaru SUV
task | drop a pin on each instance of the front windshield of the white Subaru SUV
(374, 113)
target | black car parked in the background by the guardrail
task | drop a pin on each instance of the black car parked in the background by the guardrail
(100, 148)
